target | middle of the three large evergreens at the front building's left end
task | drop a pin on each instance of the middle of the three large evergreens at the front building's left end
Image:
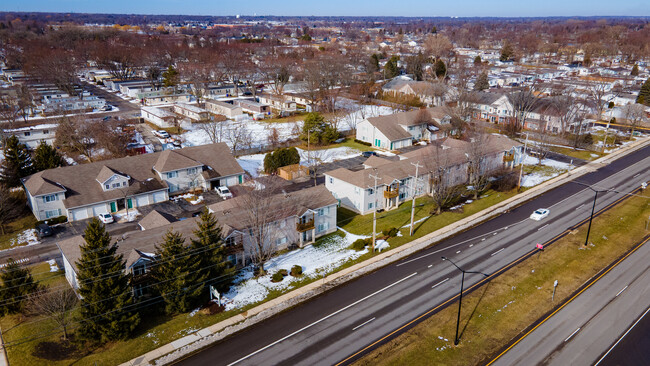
(175, 275)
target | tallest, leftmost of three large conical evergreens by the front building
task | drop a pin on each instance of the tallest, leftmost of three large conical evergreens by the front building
(107, 311)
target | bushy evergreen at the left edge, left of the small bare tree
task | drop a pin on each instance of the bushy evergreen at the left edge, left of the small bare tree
(17, 283)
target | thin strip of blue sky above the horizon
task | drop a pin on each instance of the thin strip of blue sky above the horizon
(463, 8)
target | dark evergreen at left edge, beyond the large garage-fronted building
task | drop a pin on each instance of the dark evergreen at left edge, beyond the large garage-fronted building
(16, 164)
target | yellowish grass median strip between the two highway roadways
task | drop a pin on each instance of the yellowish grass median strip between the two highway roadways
(504, 307)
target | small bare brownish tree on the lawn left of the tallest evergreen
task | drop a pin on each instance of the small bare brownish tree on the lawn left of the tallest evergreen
(54, 304)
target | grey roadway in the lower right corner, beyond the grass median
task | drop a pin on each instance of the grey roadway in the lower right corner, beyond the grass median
(584, 330)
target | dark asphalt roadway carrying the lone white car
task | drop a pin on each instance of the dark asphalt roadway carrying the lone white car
(351, 319)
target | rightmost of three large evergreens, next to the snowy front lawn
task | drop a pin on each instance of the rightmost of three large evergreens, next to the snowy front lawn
(208, 252)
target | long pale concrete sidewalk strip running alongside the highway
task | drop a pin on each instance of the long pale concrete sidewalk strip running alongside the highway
(206, 336)
